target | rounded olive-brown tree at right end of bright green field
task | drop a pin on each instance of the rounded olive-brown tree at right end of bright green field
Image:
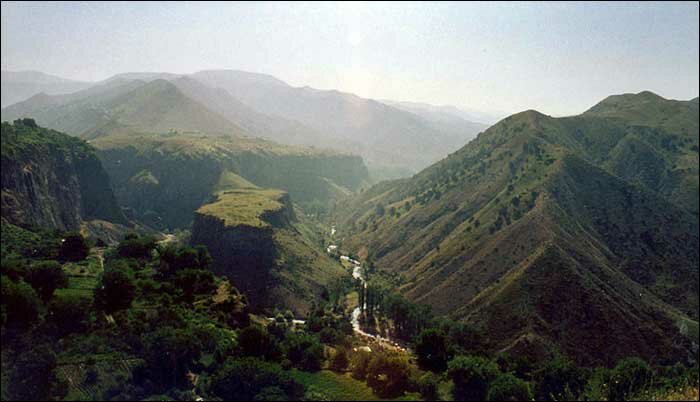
(388, 375)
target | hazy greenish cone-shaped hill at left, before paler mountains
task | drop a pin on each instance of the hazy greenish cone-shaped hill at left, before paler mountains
(119, 107)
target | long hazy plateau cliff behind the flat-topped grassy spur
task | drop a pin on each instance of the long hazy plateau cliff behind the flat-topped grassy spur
(163, 179)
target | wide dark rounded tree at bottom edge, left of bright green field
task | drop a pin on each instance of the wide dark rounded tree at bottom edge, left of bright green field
(244, 379)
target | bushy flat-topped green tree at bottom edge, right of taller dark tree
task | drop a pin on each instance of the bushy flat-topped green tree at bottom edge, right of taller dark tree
(471, 376)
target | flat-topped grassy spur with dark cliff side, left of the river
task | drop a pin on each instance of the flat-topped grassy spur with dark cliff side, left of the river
(257, 241)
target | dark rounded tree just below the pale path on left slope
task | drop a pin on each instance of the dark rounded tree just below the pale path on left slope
(116, 290)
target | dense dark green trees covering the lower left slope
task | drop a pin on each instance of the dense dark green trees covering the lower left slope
(152, 320)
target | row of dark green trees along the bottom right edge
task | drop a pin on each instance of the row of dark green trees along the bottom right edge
(476, 376)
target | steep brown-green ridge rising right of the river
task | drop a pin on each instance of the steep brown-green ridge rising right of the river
(532, 194)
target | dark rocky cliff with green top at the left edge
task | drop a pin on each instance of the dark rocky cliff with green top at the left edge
(50, 179)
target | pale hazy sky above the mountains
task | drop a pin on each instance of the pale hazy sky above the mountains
(557, 58)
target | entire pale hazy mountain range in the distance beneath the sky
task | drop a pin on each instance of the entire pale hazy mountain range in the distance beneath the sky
(394, 141)
